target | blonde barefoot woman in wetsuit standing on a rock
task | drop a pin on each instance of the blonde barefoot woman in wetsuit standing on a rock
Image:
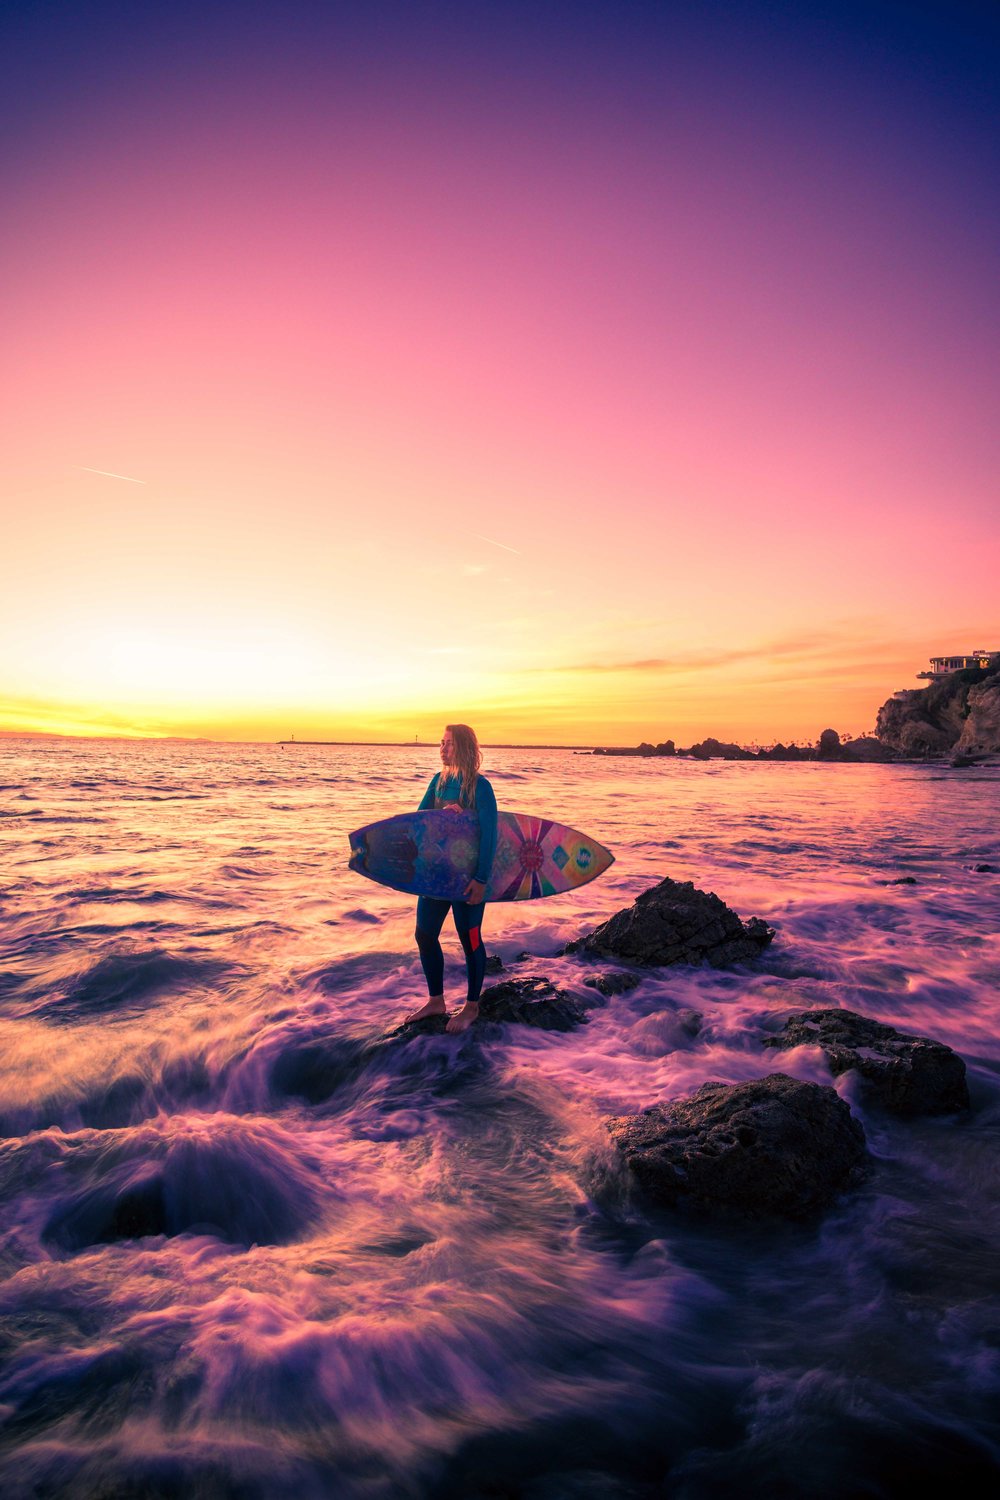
(457, 787)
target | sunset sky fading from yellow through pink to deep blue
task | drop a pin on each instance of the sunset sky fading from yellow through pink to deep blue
(588, 373)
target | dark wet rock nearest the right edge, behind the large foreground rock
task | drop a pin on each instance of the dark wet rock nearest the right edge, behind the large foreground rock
(908, 1075)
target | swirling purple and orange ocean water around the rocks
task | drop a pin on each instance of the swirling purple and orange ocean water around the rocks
(253, 1246)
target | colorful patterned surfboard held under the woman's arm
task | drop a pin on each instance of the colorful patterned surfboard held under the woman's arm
(436, 853)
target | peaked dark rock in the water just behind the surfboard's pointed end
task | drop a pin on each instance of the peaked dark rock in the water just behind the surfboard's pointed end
(677, 923)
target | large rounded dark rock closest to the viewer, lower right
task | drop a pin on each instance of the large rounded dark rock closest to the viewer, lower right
(773, 1147)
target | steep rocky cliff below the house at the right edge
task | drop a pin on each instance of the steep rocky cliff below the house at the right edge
(959, 712)
